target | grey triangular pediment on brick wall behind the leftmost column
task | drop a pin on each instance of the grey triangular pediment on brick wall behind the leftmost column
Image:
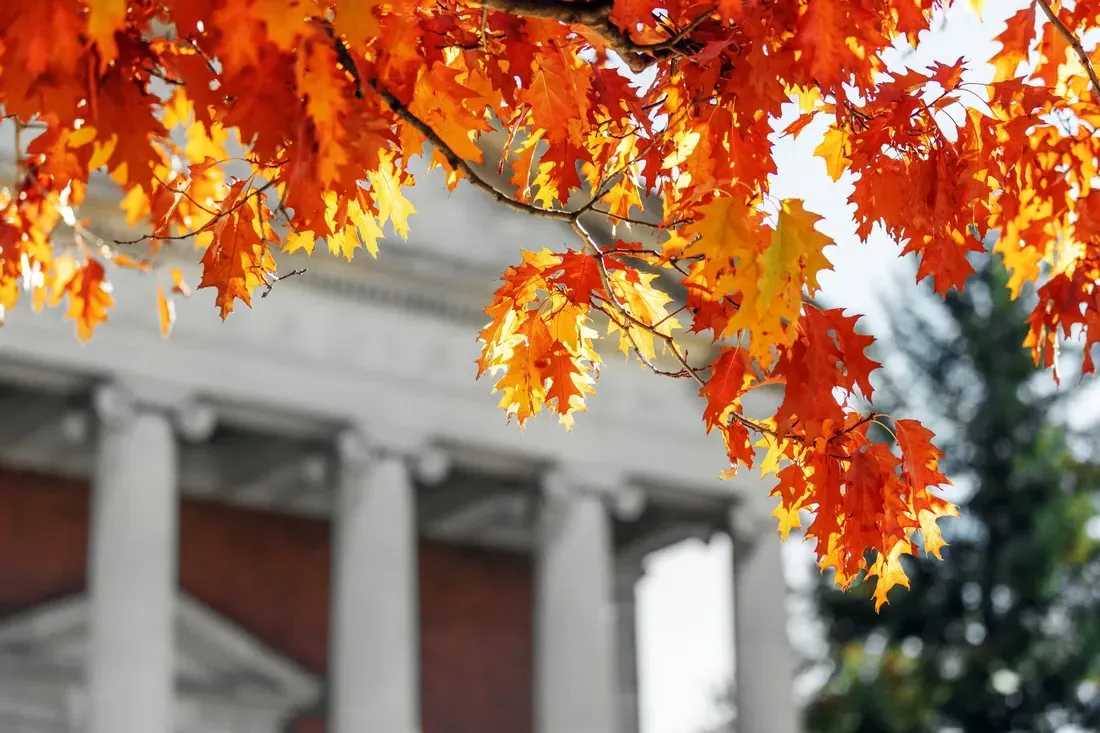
(215, 658)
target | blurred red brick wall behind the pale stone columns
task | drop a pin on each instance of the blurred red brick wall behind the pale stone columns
(270, 574)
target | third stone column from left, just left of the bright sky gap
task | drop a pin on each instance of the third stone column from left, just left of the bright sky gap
(576, 665)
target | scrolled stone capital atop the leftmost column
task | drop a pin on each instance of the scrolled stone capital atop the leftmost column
(119, 402)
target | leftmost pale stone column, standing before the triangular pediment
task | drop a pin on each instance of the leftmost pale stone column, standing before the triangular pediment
(133, 573)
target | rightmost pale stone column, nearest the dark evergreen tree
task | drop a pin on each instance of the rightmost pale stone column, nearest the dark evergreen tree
(764, 661)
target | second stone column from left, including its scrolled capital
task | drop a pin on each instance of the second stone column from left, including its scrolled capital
(375, 672)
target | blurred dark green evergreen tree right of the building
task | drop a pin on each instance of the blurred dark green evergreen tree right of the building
(1005, 633)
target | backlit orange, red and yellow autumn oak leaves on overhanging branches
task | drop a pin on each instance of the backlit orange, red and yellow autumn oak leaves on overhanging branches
(321, 106)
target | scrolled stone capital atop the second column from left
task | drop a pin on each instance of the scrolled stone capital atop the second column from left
(359, 447)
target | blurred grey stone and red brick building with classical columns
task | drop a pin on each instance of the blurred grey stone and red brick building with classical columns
(313, 518)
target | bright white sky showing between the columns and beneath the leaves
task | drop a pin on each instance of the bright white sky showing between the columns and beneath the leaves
(685, 601)
